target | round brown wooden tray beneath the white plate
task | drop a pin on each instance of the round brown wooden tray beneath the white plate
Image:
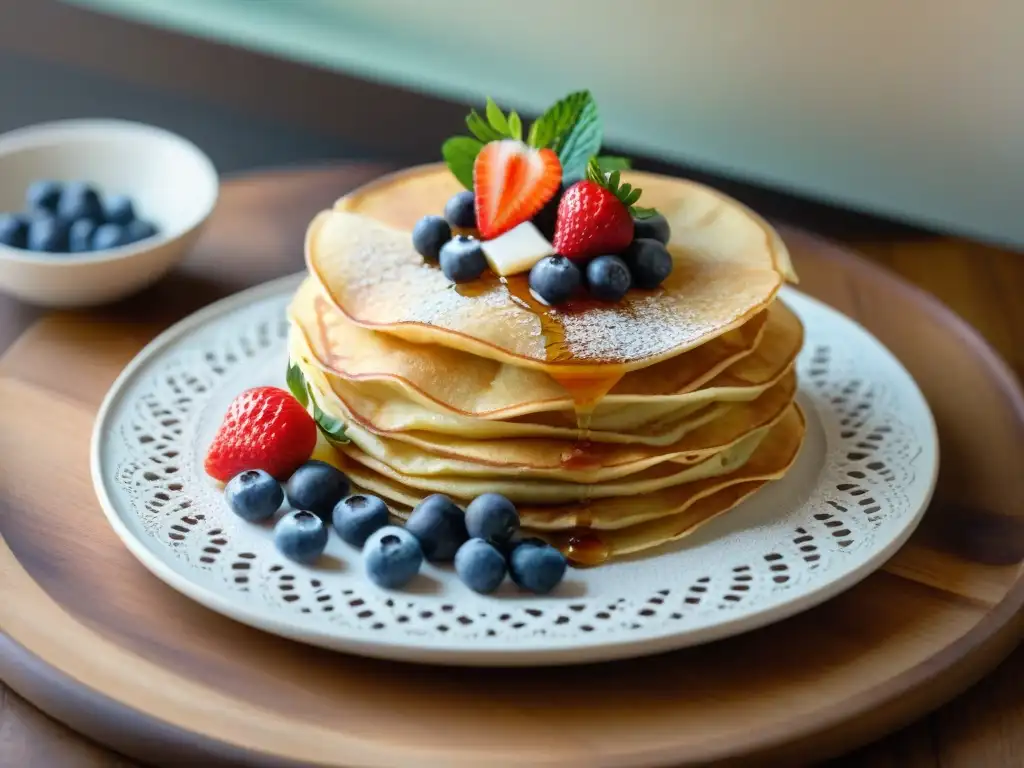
(98, 643)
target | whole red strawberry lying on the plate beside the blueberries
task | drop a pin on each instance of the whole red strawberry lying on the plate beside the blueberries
(265, 429)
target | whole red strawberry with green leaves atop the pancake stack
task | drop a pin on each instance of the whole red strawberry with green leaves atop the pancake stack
(595, 217)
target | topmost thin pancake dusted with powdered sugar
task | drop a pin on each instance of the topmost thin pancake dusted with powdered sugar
(729, 267)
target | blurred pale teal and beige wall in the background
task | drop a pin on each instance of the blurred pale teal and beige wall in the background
(909, 109)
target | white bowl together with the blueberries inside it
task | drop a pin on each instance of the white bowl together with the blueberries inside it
(95, 210)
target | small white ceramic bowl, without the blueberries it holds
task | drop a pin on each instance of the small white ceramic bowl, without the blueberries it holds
(172, 183)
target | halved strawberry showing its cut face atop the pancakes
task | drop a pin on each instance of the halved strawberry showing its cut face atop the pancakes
(513, 183)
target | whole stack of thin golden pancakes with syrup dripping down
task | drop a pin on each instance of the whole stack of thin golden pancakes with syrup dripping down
(614, 428)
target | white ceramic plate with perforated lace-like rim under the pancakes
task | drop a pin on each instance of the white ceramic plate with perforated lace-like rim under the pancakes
(861, 485)
